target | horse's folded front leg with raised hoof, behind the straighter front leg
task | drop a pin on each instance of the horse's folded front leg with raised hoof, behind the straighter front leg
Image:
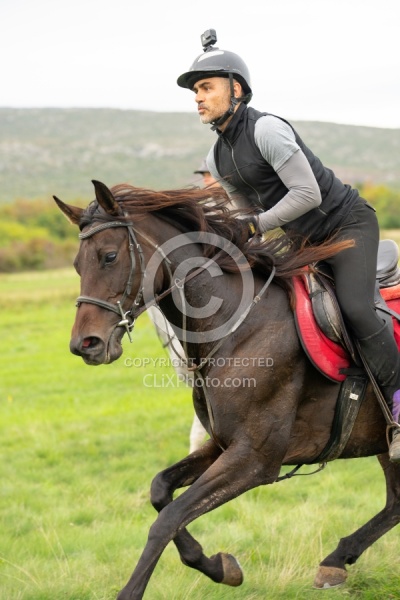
(221, 568)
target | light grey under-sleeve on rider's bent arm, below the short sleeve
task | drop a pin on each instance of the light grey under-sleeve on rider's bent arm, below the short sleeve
(303, 193)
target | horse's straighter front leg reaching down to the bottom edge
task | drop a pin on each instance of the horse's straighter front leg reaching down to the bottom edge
(235, 471)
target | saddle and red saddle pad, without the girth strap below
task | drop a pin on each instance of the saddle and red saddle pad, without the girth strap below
(319, 321)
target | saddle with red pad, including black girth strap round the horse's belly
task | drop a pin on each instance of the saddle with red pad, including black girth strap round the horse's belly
(328, 345)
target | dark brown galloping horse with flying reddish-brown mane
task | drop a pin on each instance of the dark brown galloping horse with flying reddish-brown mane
(234, 326)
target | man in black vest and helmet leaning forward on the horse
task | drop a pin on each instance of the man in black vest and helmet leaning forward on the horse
(263, 164)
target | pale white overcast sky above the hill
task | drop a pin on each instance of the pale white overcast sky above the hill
(326, 60)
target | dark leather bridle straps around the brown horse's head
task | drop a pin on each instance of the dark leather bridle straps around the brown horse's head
(128, 317)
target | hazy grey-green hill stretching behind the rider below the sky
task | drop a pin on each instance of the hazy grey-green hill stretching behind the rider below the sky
(58, 151)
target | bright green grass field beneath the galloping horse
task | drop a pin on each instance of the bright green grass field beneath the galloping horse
(80, 446)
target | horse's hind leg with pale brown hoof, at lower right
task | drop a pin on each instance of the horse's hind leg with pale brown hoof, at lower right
(332, 570)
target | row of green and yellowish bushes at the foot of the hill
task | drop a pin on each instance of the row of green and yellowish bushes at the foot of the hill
(34, 235)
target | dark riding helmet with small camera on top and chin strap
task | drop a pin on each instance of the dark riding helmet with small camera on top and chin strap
(215, 62)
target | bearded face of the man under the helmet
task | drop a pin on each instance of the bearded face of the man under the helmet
(212, 97)
